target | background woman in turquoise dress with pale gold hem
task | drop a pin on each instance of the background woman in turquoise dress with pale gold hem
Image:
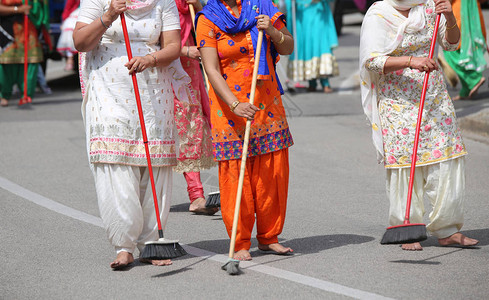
(316, 38)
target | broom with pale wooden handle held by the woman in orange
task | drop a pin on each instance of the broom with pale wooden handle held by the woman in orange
(232, 265)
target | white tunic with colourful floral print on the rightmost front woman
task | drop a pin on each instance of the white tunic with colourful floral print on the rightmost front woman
(399, 94)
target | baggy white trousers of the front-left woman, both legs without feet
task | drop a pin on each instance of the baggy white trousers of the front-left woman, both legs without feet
(125, 200)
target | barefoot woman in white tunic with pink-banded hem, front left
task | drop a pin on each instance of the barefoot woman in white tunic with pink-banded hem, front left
(114, 140)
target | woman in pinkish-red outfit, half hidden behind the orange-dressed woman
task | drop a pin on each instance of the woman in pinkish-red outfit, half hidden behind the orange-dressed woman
(193, 120)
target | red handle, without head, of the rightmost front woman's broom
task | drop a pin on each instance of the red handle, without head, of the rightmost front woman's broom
(418, 124)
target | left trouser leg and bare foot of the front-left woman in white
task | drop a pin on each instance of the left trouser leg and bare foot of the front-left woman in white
(117, 189)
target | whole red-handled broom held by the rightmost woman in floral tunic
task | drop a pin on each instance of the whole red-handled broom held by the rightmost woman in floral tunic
(407, 232)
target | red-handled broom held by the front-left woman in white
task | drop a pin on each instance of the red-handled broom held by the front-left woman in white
(162, 248)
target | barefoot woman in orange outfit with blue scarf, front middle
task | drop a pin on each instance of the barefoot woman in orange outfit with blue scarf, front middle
(227, 34)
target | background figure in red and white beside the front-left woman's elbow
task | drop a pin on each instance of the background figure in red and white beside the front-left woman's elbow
(65, 43)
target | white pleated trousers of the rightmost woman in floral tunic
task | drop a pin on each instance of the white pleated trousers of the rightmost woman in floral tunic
(444, 186)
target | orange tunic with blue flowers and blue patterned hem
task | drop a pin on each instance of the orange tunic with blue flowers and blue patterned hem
(269, 129)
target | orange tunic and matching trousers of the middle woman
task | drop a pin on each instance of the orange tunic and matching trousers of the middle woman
(267, 168)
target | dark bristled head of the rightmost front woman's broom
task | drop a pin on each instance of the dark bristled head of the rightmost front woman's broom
(404, 234)
